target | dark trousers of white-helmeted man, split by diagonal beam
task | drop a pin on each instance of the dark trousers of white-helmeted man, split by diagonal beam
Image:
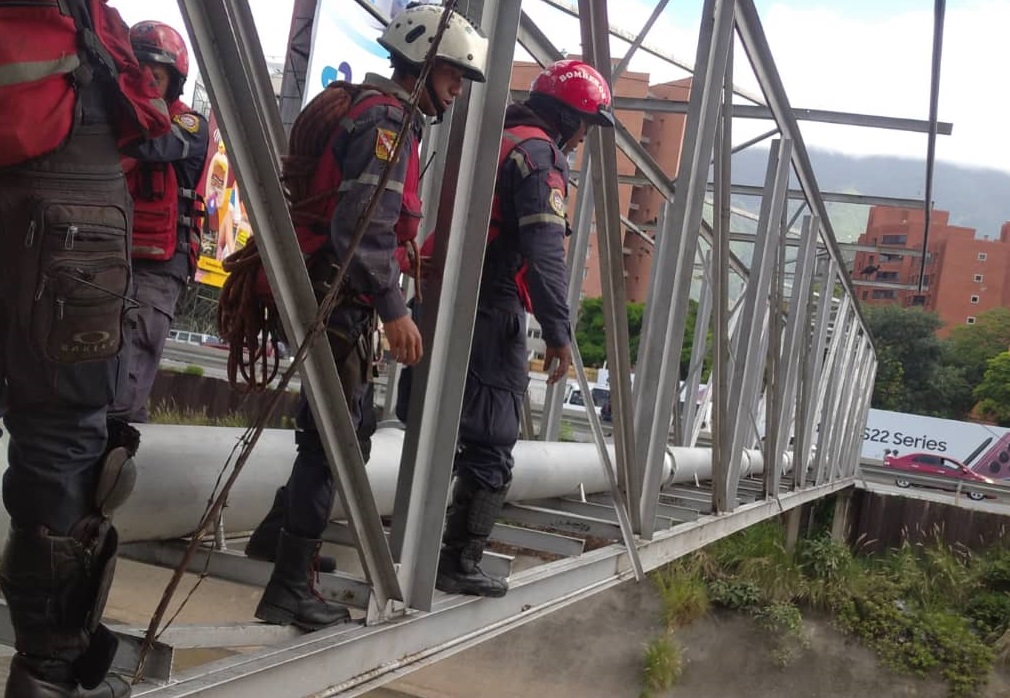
(311, 487)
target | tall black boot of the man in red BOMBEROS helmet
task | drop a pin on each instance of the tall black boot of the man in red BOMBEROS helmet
(469, 522)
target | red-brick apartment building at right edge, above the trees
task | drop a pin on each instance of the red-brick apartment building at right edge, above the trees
(964, 275)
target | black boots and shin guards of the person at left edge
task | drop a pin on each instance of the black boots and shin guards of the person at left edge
(57, 588)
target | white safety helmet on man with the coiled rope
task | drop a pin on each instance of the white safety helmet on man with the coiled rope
(412, 33)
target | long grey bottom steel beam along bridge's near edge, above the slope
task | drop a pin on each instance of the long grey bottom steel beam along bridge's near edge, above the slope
(353, 661)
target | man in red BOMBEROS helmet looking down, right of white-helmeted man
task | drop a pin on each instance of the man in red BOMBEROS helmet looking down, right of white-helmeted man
(524, 271)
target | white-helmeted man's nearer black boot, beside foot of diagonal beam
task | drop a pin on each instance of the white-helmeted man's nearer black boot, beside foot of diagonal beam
(290, 597)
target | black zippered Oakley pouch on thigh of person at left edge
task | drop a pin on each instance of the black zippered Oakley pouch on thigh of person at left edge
(82, 274)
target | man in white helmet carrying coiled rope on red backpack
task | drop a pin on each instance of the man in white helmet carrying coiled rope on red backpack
(357, 154)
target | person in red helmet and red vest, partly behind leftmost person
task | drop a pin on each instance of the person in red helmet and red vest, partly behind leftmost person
(162, 174)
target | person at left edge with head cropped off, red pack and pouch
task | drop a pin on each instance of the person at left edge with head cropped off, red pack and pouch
(72, 91)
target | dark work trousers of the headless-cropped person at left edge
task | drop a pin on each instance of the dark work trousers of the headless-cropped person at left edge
(64, 272)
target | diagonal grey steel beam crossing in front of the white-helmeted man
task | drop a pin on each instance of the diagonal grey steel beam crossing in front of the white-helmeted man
(228, 50)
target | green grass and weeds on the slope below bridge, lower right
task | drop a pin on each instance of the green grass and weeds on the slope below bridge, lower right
(928, 611)
